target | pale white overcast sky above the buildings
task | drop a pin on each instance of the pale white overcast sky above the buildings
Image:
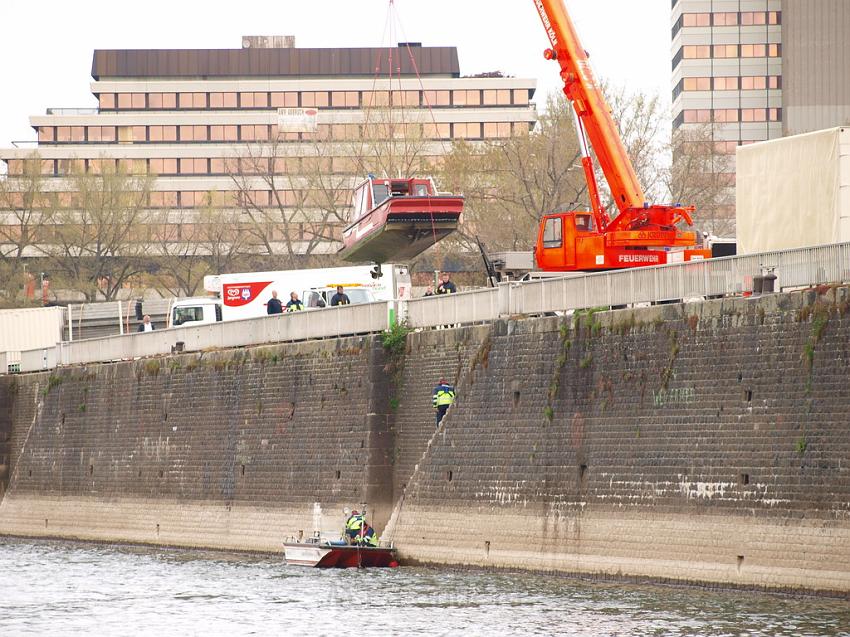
(47, 46)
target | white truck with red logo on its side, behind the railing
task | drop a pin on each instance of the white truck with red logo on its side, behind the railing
(246, 294)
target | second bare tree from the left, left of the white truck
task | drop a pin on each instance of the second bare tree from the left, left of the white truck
(101, 232)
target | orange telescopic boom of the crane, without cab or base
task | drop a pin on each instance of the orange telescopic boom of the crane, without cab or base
(593, 111)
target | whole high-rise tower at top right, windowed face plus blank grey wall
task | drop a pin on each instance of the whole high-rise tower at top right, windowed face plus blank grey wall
(755, 70)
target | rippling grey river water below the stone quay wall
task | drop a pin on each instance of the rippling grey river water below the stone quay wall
(63, 588)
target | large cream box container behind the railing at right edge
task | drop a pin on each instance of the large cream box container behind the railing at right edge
(794, 192)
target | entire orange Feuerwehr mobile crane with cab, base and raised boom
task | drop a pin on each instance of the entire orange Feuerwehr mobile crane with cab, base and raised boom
(641, 233)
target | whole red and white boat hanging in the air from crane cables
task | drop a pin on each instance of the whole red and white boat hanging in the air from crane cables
(397, 219)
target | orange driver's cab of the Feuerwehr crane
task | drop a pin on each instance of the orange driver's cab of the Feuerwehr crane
(569, 241)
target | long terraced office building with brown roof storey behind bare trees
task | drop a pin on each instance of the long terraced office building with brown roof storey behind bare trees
(227, 128)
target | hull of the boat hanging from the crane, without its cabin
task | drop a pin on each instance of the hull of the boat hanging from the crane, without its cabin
(401, 228)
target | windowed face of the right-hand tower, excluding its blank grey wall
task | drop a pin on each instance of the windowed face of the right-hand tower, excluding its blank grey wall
(727, 84)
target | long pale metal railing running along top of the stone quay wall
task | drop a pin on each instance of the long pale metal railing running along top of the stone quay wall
(686, 281)
